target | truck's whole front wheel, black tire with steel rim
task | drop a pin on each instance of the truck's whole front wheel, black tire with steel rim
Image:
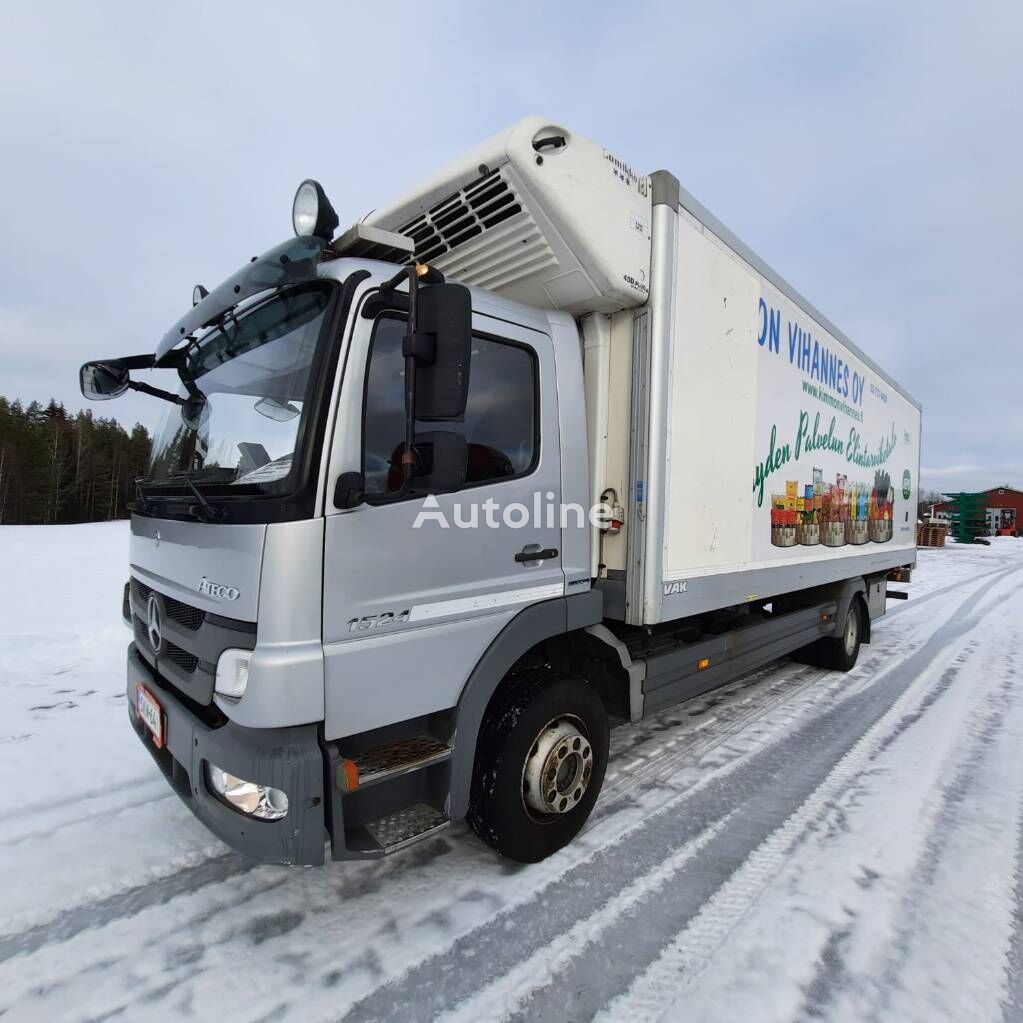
(547, 727)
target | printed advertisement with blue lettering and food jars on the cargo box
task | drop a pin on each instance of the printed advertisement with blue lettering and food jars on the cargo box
(837, 447)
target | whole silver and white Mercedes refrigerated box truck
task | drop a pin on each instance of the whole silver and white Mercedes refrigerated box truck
(539, 449)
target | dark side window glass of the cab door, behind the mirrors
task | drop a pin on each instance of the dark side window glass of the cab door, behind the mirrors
(502, 417)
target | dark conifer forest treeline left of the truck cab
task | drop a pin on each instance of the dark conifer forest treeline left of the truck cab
(62, 468)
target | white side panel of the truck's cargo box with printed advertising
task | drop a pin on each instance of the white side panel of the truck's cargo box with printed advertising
(790, 461)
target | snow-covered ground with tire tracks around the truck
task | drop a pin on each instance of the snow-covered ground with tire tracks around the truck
(802, 846)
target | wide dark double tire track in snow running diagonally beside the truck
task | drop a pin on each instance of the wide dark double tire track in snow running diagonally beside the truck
(808, 754)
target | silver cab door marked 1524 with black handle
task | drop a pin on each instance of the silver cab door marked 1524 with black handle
(416, 591)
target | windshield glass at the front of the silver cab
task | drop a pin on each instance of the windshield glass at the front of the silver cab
(244, 391)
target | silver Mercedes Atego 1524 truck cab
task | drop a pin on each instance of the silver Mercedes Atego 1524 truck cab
(307, 669)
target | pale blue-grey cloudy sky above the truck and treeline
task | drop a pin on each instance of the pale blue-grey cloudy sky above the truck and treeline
(872, 153)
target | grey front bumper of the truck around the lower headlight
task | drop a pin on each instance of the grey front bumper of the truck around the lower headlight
(290, 760)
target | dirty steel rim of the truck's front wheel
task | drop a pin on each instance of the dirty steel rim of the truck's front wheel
(558, 770)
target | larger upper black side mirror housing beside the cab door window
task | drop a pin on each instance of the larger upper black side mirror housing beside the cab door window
(444, 316)
